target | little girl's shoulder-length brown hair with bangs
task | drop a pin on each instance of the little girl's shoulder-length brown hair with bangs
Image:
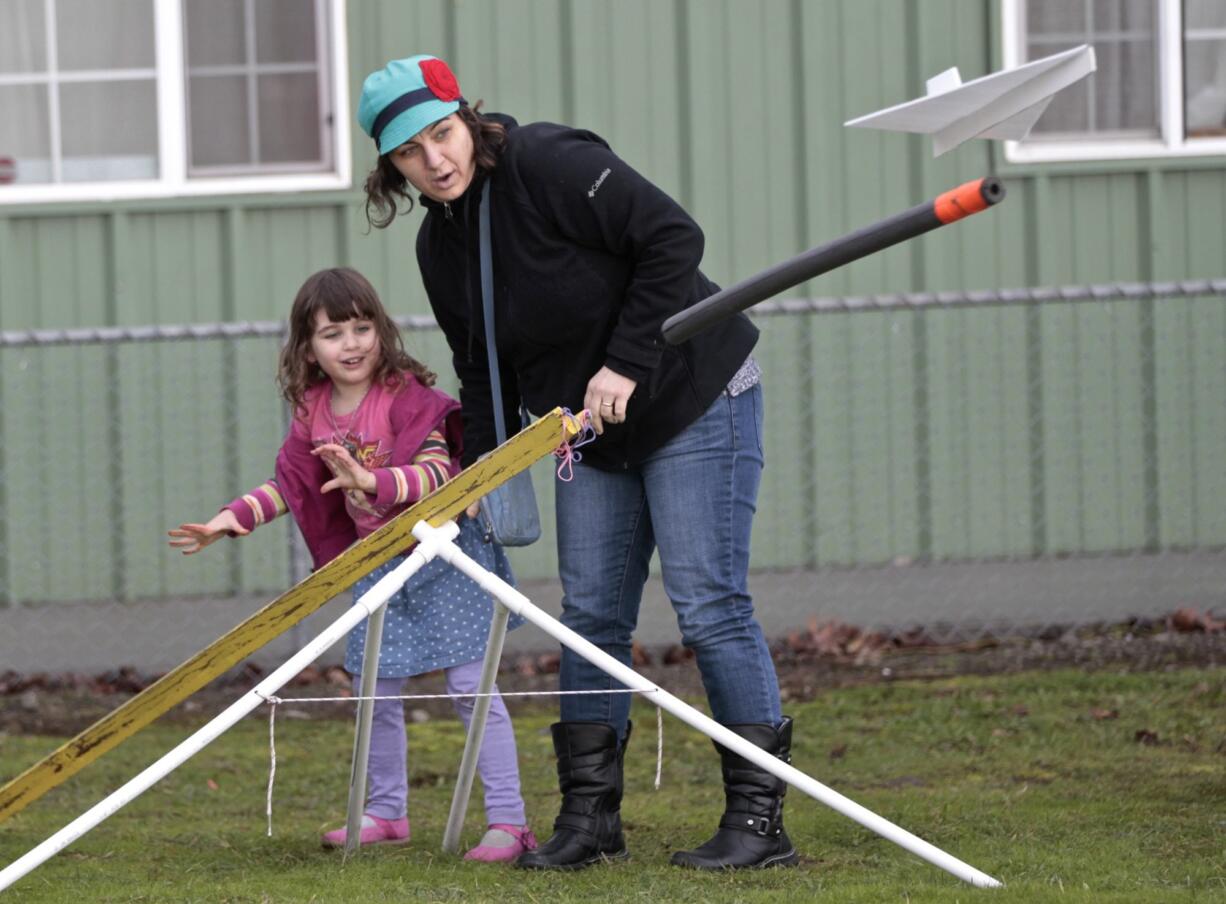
(343, 295)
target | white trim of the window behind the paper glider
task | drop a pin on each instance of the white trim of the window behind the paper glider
(1171, 142)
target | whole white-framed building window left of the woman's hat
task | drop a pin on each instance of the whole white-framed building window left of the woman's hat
(132, 99)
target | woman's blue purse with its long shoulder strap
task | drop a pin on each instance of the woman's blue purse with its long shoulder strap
(509, 515)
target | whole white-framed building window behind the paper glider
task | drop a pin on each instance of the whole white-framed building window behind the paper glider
(1160, 89)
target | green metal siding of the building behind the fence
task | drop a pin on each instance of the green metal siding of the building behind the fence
(951, 435)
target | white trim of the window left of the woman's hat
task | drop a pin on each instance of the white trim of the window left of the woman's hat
(173, 180)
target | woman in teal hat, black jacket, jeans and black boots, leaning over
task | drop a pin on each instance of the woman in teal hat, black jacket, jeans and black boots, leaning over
(589, 259)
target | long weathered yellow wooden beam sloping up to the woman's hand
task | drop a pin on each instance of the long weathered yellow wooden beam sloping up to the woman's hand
(517, 454)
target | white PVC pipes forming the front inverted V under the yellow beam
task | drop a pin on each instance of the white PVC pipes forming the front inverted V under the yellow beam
(437, 542)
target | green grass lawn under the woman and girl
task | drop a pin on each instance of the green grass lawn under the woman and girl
(1067, 787)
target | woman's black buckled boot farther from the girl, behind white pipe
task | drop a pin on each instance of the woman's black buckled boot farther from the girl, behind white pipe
(751, 835)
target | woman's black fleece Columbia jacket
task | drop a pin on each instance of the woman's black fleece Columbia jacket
(590, 259)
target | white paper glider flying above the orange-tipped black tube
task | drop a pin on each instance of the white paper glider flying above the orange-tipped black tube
(999, 106)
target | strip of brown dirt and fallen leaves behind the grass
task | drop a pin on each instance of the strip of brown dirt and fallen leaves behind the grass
(809, 661)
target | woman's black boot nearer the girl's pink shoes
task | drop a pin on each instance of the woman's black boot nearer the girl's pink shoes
(589, 826)
